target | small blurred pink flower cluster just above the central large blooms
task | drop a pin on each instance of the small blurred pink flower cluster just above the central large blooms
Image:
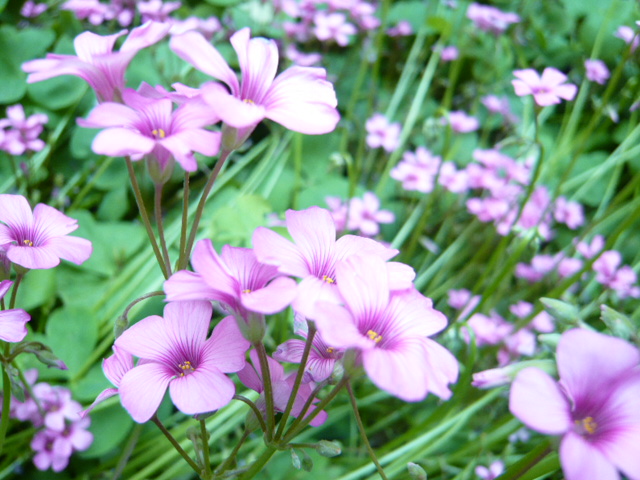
(362, 215)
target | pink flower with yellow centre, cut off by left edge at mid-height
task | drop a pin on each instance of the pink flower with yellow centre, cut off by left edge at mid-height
(39, 239)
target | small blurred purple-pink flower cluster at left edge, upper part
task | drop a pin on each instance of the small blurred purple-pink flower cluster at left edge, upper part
(19, 133)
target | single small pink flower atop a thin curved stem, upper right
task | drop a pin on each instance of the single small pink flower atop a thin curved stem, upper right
(547, 89)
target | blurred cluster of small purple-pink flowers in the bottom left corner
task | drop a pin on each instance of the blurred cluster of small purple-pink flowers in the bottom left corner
(61, 429)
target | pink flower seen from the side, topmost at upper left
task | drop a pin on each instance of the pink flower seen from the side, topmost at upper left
(97, 63)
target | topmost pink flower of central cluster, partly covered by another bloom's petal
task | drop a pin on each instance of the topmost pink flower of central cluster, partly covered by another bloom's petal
(315, 253)
